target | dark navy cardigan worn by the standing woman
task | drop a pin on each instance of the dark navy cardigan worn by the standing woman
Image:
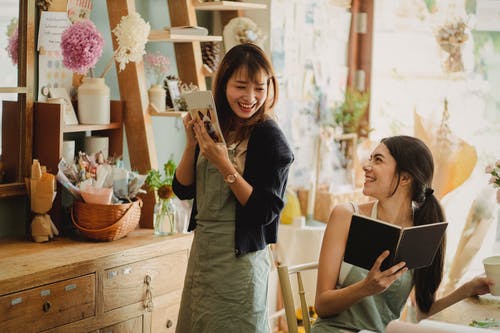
(267, 163)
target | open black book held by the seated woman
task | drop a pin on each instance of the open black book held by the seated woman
(369, 237)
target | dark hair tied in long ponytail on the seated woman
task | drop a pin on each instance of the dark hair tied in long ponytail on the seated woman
(414, 157)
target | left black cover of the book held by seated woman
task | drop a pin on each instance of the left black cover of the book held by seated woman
(367, 239)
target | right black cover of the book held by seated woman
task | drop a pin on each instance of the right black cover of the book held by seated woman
(418, 244)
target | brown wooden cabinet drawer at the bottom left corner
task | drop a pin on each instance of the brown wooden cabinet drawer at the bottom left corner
(48, 306)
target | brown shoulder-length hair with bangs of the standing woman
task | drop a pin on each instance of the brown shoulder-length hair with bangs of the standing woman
(251, 58)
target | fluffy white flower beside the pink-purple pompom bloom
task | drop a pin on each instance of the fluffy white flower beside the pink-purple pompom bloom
(132, 34)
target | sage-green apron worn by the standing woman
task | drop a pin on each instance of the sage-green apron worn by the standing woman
(222, 293)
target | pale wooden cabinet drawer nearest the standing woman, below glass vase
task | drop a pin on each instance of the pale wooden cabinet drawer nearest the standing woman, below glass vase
(126, 284)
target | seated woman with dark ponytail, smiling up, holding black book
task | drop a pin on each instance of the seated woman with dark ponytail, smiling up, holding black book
(348, 298)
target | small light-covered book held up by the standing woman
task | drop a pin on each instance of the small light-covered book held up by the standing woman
(201, 105)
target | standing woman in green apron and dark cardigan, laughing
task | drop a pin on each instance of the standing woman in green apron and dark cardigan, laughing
(238, 193)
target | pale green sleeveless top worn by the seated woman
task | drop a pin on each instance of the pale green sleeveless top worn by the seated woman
(372, 313)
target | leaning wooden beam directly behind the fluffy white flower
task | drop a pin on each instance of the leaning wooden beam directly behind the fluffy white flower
(137, 121)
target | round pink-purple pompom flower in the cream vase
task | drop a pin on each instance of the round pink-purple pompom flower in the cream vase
(81, 45)
